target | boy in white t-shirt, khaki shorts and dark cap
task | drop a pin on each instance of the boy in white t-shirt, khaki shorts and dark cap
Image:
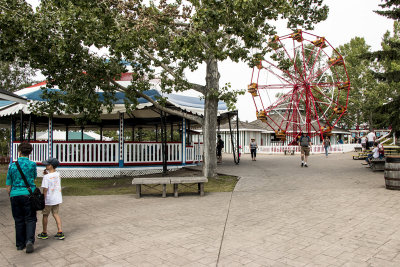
(51, 185)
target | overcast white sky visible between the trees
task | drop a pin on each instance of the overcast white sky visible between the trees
(347, 19)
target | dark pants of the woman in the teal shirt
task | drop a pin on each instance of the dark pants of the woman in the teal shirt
(25, 220)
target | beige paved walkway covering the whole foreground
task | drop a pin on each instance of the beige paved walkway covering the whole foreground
(334, 213)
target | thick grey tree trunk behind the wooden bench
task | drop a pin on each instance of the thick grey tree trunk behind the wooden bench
(210, 119)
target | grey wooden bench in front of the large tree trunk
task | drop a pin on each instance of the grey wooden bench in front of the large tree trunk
(153, 182)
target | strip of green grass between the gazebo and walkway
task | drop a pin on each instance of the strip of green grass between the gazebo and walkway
(119, 186)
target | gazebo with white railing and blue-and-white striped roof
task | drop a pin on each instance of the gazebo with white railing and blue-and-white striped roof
(127, 155)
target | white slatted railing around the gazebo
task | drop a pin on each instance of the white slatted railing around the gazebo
(105, 153)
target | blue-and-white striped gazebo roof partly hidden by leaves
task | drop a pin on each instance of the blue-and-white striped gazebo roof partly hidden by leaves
(189, 104)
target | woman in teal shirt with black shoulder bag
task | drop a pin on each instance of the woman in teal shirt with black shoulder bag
(24, 215)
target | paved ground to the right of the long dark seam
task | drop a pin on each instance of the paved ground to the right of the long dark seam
(334, 213)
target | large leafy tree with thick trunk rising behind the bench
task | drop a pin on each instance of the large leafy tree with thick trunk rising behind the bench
(154, 36)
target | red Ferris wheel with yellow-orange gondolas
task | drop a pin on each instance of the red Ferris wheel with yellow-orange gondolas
(302, 87)
